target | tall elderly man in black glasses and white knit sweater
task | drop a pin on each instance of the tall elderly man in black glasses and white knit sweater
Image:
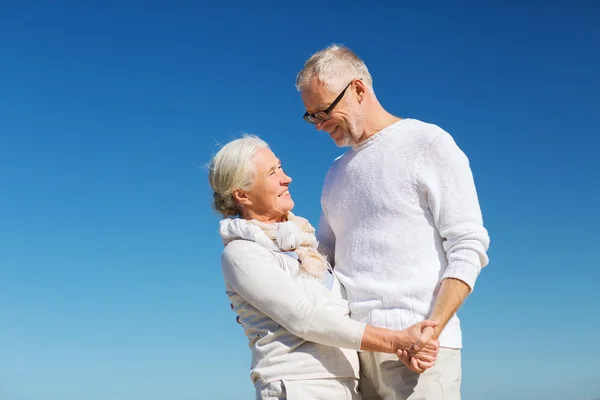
(400, 223)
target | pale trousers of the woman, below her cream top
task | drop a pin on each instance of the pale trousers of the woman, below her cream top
(310, 389)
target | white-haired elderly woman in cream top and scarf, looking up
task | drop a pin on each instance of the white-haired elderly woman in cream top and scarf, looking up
(304, 345)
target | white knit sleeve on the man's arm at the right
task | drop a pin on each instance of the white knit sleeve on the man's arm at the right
(445, 175)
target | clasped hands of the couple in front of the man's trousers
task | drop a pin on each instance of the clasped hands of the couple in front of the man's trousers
(422, 352)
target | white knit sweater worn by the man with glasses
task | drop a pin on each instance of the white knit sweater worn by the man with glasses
(401, 213)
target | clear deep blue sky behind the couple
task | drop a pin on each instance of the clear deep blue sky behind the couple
(110, 282)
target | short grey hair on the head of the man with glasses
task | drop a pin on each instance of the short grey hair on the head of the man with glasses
(335, 66)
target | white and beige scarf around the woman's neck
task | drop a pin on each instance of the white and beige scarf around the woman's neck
(296, 234)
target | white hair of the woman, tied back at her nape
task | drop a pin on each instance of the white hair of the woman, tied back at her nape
(230, 169)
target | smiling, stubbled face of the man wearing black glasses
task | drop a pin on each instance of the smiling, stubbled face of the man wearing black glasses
(345, 123)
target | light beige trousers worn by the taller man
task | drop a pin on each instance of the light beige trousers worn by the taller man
(385, 377)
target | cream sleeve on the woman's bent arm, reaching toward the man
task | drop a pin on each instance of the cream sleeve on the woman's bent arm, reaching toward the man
(254, 273)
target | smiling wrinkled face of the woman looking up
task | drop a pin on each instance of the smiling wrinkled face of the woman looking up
(269, 198)
